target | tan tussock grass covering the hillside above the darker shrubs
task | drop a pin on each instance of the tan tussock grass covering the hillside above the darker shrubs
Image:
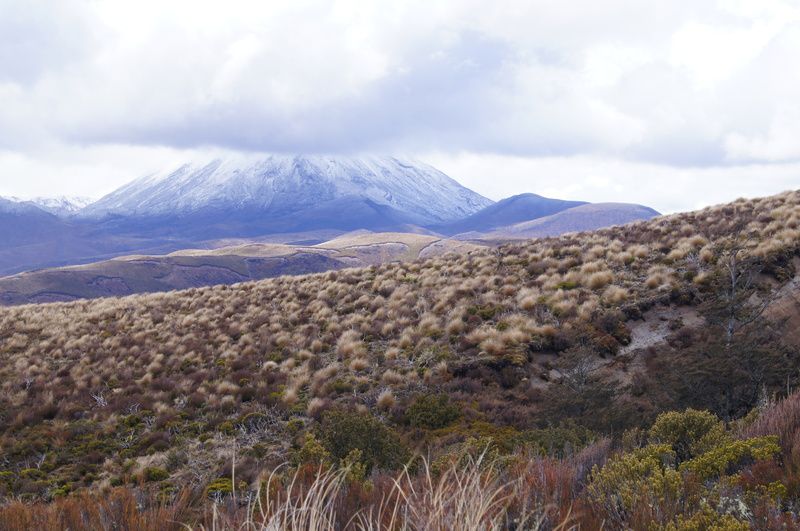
(146, 375)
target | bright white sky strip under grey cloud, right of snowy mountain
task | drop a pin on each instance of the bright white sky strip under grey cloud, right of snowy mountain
(601, 179)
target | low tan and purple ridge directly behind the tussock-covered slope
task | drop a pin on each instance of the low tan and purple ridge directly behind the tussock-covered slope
(227, 265)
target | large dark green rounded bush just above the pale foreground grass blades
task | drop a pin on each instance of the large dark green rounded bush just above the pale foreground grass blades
(343, 431)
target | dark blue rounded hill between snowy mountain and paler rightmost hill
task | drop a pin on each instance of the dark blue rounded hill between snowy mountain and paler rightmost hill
(515, 209)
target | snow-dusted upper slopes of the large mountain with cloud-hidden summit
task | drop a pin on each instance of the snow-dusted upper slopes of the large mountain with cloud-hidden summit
(411, 191)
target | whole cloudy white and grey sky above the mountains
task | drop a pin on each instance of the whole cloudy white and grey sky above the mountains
(675, 104)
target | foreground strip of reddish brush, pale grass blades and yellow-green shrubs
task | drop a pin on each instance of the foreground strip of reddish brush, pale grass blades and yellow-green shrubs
(688, 471)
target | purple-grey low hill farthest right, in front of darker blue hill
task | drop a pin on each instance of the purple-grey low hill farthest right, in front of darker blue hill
(581, 218)
